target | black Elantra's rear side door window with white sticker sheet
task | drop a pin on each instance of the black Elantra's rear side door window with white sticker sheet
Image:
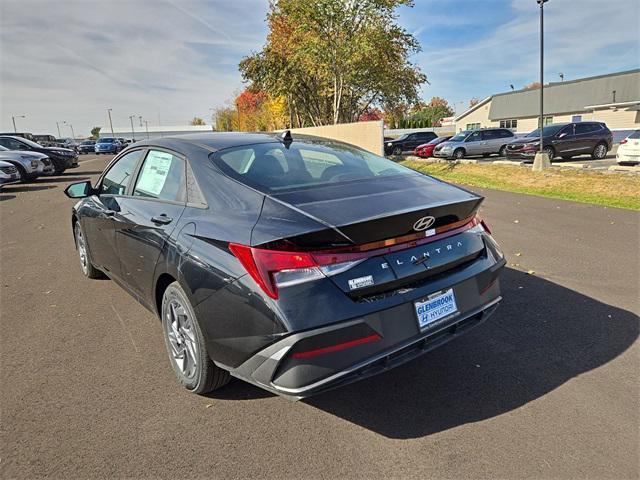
(162, 177)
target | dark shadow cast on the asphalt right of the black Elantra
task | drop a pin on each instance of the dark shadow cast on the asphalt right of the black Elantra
(542, 336)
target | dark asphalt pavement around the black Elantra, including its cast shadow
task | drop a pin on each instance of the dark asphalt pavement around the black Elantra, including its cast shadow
(547, 388)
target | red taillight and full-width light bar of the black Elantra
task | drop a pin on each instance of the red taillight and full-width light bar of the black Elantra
(272, 269)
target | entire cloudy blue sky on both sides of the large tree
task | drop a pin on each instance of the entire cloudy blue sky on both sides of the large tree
(168, 60)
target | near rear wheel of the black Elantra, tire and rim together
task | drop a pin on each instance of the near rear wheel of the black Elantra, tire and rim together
(186, 346)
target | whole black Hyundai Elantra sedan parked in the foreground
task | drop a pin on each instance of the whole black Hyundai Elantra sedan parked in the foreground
(296, 264)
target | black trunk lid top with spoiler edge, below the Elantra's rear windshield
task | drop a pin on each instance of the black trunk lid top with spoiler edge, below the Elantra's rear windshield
(360, 212)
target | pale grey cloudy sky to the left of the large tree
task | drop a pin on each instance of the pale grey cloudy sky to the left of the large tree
(71, 60)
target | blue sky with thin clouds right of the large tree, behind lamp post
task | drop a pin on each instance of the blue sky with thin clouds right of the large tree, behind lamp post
(581, 39)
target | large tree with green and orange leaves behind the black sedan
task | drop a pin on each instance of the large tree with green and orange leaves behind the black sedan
(331, 60)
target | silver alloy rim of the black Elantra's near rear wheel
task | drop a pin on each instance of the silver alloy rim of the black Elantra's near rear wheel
(181, 334)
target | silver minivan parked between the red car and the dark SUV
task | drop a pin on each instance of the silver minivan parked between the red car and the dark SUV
(483, 142)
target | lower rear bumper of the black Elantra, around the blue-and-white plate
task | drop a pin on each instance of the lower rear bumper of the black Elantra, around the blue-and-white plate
(400, 339)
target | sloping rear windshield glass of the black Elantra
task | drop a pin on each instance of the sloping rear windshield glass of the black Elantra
(272, 167)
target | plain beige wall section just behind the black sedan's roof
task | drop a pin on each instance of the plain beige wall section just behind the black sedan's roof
(366, 135)
